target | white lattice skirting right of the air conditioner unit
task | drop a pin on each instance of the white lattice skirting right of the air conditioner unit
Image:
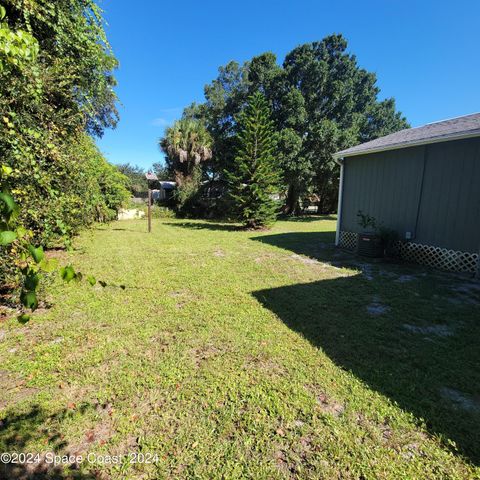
(437, 257)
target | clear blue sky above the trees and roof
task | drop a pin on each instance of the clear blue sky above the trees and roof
(426, 54)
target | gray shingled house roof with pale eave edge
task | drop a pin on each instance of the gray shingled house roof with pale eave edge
(452, 129)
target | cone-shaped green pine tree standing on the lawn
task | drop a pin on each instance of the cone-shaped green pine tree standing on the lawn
(254, 179)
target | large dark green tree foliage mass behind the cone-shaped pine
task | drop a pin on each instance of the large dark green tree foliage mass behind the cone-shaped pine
(322, 101)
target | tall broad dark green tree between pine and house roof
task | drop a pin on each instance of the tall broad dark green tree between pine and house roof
(342, 109)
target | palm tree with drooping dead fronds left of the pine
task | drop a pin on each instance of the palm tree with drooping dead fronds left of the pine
(186, 143)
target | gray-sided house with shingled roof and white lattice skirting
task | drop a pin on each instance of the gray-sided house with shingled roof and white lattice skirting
(422, 182)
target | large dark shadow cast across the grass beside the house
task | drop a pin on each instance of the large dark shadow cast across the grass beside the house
(406, 341)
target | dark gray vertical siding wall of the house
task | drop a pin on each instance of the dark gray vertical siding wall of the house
(443, 209)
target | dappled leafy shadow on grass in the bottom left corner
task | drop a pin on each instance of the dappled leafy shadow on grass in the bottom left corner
(18, 429)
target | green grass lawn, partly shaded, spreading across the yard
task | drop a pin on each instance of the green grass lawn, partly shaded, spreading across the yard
(236, 354)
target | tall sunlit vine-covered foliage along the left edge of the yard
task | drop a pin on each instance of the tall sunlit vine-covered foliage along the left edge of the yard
(56, 89)
